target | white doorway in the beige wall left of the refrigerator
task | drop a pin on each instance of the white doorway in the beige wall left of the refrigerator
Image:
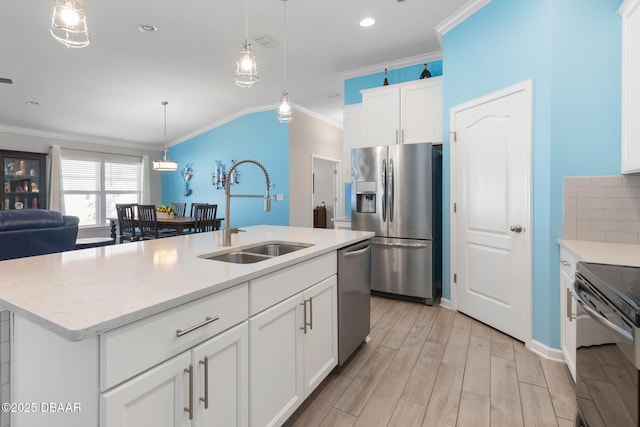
(326, 188)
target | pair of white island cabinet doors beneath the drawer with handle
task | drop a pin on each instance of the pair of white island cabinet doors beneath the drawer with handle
(203, 387)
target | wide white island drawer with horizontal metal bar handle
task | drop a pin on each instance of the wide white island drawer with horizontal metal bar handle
(127, 351)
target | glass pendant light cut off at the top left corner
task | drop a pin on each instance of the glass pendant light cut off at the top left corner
(69, 23)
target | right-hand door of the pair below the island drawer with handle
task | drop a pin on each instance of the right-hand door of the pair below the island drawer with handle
(221, 384)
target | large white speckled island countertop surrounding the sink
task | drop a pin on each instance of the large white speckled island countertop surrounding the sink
(82, 293)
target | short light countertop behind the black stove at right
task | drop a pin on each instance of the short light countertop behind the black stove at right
(603, 253)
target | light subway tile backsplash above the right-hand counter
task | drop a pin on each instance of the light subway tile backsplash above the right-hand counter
(602, 208)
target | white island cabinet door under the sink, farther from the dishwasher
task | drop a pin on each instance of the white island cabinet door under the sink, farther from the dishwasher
(275, 362)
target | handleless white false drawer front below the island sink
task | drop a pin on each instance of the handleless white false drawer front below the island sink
(269, 290)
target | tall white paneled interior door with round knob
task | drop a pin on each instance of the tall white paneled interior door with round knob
(491, 193)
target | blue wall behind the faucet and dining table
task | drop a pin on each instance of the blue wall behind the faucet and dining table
(256, 136)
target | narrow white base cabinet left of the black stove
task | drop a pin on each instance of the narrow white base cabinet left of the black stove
(568, 310)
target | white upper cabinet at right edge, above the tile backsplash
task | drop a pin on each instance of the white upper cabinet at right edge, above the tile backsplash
(630, 12)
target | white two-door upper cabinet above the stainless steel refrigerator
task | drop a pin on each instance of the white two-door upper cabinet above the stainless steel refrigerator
(403, 113)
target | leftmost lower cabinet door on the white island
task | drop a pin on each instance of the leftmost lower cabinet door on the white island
(155, 398)
